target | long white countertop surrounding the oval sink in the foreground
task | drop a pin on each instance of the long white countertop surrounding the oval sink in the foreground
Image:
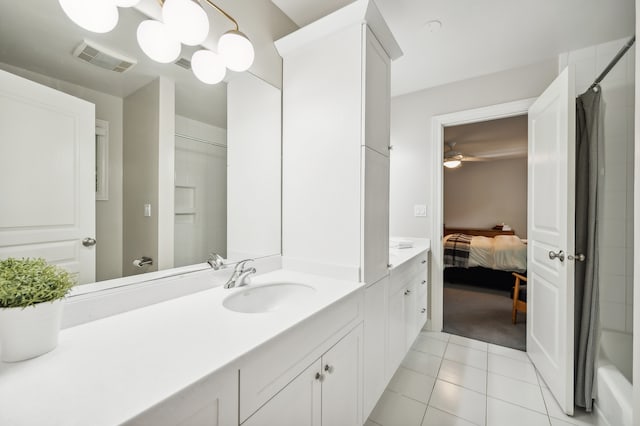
(108, 371)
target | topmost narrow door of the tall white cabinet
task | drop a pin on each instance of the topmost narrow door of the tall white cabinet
(377, 93)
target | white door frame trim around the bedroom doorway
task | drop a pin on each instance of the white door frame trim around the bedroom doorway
(438, 123)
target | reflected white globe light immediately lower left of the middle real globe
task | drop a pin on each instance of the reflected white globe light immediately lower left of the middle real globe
(158, 42)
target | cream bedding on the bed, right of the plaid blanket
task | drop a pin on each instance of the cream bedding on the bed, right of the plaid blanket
(503, 252)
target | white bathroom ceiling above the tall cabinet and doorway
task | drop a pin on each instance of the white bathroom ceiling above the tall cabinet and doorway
(481, 37)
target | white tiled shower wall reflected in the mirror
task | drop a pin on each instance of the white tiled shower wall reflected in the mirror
(201, 192)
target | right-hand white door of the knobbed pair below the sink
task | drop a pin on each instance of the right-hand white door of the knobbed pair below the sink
(342, 384)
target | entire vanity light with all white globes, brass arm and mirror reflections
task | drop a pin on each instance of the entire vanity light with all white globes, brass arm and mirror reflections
(183, 21)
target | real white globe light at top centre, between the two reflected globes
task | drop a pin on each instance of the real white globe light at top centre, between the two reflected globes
(187, 19)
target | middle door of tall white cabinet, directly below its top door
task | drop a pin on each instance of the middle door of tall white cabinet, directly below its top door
(375, 244)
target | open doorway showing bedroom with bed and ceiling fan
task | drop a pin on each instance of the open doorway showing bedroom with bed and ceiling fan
(485, 227)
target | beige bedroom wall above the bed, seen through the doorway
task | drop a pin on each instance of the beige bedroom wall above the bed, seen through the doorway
(482, 194)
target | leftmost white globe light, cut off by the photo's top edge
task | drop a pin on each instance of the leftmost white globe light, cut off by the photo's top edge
(98, 16)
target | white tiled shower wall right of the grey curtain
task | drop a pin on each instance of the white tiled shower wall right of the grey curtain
(616, 222)
